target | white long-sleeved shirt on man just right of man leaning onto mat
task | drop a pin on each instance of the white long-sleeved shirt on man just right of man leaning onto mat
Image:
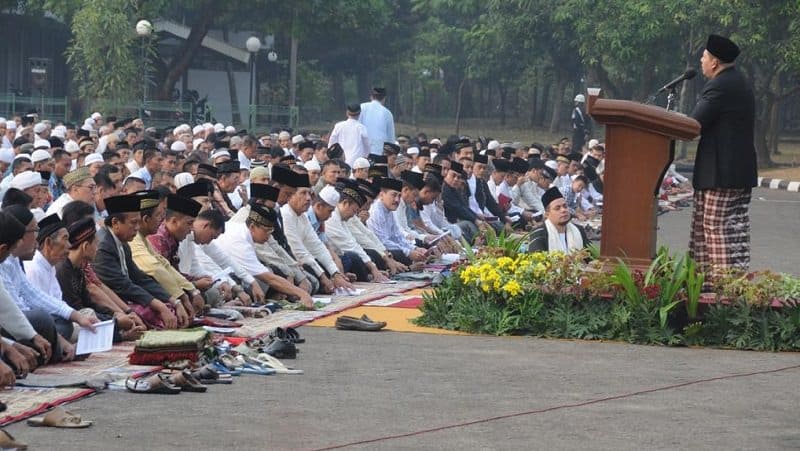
(305, 243)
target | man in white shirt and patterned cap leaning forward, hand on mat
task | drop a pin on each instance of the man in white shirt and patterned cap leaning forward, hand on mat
(256, 229)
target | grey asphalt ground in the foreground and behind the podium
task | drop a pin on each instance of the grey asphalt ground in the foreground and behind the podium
(365, 386)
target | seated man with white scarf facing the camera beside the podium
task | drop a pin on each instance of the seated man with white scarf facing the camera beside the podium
(557, 233)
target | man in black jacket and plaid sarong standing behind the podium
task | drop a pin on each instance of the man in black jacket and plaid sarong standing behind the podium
(725, 166)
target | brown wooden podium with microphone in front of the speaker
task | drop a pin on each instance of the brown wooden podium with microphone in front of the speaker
(640, 147)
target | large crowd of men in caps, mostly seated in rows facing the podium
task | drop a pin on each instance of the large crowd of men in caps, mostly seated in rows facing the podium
(109, 220)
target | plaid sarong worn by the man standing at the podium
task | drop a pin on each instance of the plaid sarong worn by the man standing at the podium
(720, 237)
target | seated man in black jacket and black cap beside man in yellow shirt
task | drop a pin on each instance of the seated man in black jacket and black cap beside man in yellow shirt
(115, 266)
